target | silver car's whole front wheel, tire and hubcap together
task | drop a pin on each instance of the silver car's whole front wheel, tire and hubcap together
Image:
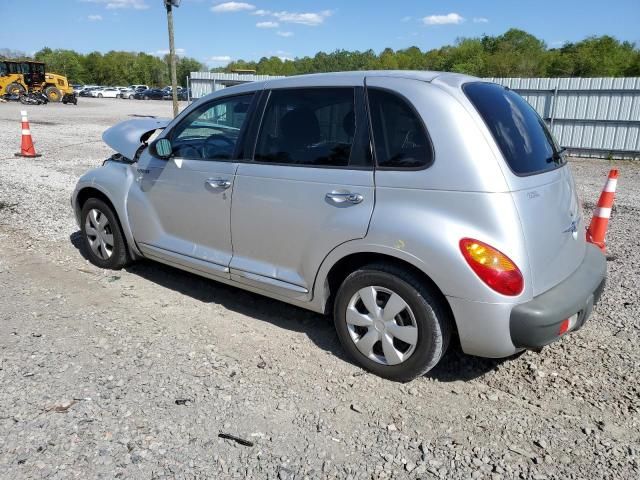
(102, 238)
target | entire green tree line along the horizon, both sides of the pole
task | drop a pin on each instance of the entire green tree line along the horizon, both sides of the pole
(513, 54)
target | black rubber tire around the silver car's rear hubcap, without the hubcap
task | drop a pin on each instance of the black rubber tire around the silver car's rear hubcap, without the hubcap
(432, 319)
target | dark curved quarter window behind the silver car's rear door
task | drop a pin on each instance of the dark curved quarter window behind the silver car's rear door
(401, 141)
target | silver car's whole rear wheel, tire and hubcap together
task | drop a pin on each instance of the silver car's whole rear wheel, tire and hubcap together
(390, 322)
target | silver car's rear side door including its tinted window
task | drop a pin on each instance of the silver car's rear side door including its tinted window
(308, 189)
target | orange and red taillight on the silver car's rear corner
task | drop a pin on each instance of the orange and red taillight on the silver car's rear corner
(492, 266)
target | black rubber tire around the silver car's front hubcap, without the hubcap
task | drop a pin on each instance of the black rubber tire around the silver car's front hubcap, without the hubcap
(120, 253)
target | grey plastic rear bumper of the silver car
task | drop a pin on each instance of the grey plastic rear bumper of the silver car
(537, 323)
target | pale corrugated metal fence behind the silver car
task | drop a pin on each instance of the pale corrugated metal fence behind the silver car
(597, 117)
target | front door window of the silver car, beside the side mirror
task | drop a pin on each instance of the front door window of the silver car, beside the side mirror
(211, 132)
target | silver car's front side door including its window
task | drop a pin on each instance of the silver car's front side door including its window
(180, 207)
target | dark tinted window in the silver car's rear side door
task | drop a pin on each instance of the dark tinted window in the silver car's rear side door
(308, 127)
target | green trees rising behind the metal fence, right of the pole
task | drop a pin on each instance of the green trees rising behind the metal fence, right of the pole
(514, 54)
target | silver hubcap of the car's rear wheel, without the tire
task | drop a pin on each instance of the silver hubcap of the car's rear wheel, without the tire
(382, 325)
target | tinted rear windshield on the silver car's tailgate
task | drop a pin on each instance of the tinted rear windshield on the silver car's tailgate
(523, 137)
